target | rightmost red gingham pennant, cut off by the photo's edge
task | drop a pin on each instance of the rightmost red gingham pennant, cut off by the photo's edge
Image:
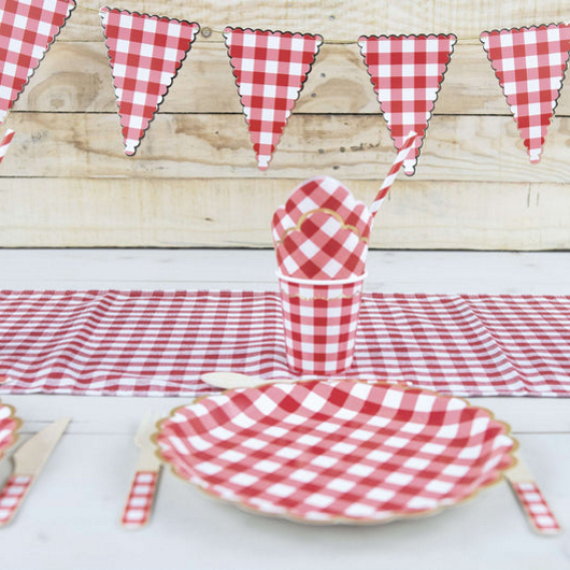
(530, 64)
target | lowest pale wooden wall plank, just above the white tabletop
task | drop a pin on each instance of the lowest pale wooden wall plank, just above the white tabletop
(215, 212)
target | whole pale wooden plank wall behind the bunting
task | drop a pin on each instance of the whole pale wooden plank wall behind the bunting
(194, 181)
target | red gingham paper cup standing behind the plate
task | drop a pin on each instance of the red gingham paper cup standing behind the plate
(320, 319)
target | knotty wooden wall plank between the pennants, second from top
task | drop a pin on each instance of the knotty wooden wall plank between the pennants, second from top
(76, 78)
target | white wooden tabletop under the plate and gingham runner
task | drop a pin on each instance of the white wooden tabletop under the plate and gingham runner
(70, 518)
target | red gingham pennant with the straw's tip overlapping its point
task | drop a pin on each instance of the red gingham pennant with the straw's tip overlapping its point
(407, 73)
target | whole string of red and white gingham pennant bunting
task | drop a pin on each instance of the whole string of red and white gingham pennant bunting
(270, 68)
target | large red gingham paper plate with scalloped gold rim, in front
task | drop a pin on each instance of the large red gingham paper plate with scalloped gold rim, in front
(338, 451)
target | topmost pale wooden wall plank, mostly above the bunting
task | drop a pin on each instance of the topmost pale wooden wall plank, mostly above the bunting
(335, 19)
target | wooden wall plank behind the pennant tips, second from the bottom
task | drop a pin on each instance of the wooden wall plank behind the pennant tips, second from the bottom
(463, 147)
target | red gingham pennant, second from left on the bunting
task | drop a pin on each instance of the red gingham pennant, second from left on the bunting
(146, 53)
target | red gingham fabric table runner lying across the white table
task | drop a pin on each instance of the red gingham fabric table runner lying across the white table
(159, 343)
